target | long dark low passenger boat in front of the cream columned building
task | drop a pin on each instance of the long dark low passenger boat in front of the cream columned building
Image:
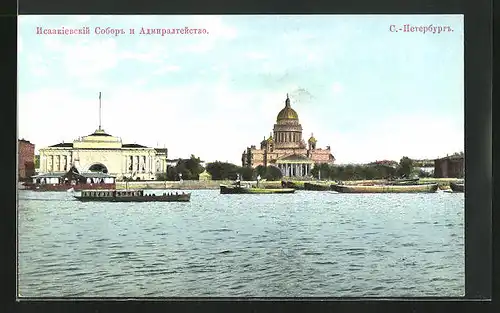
(139, 195)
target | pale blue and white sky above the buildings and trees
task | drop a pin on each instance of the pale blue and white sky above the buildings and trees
(367, 92)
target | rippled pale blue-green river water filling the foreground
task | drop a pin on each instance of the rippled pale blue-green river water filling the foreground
(305, 244)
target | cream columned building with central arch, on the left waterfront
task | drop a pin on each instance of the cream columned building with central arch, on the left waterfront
(102, 152)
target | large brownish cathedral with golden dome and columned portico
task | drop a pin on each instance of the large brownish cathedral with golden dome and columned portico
(286, 149)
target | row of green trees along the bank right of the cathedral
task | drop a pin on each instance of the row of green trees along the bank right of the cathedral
(405, 169)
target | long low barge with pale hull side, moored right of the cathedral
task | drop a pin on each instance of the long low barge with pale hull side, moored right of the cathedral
(429, 188)
